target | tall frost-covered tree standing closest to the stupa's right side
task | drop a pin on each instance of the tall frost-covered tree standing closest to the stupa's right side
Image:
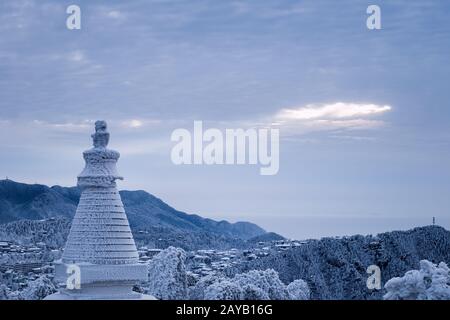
(167, 275)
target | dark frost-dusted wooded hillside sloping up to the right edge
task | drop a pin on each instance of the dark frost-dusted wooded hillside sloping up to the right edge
(336, 268)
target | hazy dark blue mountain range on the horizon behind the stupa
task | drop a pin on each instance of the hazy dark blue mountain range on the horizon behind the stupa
(146, 213)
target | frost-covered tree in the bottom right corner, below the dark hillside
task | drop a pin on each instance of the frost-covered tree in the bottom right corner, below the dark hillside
(431, 282)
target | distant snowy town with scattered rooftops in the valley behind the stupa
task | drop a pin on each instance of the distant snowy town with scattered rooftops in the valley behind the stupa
(20, 263)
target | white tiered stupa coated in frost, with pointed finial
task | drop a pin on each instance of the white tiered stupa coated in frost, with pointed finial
(100, 244)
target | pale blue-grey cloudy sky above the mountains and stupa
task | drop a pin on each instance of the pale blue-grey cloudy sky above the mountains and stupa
(363, 115)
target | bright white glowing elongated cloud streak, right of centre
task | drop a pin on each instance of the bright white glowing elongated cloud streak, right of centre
(336, 110)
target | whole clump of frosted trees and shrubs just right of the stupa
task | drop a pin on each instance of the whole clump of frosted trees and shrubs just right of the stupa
(169, 280)
